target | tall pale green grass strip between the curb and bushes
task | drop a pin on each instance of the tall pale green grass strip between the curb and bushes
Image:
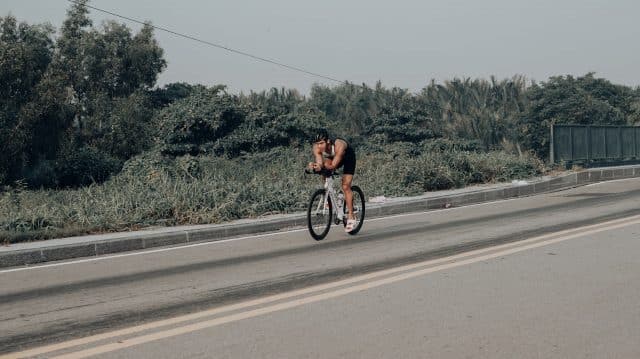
(156, 191)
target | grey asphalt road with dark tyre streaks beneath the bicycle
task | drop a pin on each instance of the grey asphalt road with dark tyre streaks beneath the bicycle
(554, 275)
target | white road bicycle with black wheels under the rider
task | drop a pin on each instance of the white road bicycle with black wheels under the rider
(320, 212)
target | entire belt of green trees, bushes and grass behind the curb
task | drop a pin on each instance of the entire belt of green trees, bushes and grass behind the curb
(89, 144)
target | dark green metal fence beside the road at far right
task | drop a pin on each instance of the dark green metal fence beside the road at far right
(588, 143)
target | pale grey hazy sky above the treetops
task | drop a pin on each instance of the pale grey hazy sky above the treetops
(403, 43)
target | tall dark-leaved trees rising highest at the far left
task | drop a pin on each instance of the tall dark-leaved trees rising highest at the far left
(60, 96)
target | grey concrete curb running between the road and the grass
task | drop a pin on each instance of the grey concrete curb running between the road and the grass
(88, 246)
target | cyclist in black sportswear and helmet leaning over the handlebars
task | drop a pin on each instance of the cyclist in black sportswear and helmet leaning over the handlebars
(333, 153)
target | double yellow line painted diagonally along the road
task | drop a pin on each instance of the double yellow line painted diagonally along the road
(120, 339)
